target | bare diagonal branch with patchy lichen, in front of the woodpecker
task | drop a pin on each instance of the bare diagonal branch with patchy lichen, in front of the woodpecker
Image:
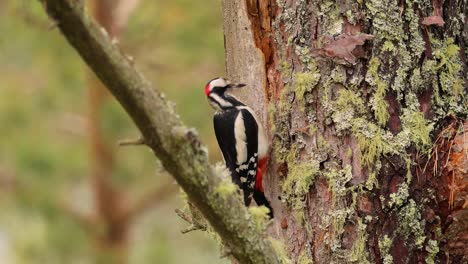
(178, 148)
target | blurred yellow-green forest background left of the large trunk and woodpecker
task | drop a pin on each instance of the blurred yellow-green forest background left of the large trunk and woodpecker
(45, 154)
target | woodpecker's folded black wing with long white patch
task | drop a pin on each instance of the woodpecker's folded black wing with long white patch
(237, 134)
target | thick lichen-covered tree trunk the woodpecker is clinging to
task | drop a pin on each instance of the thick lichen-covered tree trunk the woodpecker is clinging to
(366, 108)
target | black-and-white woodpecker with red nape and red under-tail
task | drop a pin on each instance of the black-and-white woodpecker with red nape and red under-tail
(242, 140)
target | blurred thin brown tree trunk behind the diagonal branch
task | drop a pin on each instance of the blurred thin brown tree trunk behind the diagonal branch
(112, 243)
